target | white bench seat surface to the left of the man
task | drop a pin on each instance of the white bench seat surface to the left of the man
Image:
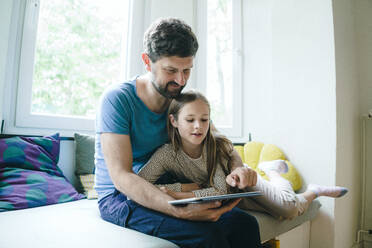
(72, 224)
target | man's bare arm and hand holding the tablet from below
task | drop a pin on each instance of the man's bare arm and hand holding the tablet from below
(118, 157)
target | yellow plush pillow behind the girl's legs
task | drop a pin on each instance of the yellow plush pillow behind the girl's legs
(252, 153)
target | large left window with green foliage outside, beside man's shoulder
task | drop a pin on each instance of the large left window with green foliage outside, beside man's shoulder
(71, 51)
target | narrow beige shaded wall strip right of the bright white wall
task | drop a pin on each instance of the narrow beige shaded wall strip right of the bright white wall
(348, 124)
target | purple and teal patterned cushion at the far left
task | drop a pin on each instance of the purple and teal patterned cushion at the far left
(29, 175)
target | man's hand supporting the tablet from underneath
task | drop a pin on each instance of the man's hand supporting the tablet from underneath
(210, 211)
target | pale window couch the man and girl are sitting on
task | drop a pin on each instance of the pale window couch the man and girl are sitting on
(77, 223)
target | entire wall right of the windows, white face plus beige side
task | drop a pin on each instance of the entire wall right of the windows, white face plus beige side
(302, 93)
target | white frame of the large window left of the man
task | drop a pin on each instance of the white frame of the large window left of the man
(19, 119)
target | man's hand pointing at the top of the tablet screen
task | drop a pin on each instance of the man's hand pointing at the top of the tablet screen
(242, 177)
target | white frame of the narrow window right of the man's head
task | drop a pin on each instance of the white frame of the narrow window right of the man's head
(235, 131)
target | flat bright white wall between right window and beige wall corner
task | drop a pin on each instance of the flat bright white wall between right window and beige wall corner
(290, 91)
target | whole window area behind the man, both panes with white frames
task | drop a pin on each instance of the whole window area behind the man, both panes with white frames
(69, 51)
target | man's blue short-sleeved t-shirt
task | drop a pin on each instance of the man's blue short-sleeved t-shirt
(121, 111)
